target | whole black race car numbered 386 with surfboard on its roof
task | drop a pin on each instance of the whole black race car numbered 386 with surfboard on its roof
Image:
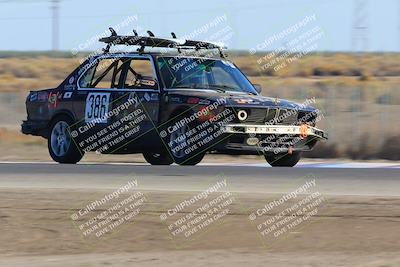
(170, 106)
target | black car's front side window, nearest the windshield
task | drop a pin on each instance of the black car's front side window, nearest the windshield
(139, 74)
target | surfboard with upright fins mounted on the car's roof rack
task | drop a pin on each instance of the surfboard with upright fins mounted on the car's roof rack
(152, 41)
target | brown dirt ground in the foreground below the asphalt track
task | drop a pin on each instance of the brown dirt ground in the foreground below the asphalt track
(37, 230)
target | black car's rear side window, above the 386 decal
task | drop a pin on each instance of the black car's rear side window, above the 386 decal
(105, 74)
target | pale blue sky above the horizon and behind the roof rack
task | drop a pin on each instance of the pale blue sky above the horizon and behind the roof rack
(27, 24)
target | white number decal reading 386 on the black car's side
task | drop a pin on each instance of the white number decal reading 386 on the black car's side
(97, 107)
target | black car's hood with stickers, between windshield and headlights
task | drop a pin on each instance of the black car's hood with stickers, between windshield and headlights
(235, 99)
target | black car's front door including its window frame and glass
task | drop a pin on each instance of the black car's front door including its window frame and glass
(138, 104)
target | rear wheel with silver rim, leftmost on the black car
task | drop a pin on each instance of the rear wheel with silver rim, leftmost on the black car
(61, 147)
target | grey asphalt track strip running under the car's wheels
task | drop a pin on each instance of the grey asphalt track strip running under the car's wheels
(359, 180)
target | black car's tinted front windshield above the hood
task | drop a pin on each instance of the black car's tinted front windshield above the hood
(201, 73)
